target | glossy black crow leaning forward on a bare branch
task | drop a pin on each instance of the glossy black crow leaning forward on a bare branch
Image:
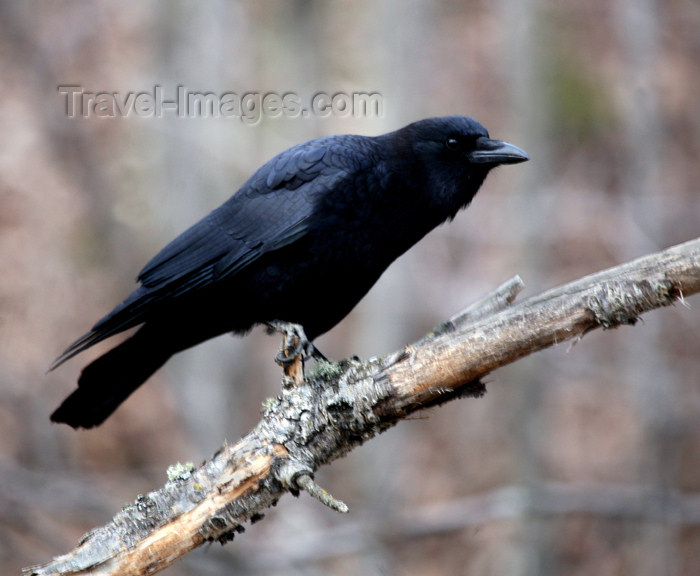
(302, 241)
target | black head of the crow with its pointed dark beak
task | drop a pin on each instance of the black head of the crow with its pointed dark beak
(453, 155)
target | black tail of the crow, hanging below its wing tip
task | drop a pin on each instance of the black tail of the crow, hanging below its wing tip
(108, 381)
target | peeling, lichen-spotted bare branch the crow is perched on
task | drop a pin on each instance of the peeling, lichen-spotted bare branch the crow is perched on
(338, 406)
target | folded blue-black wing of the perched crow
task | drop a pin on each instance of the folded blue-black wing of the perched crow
(273, 209)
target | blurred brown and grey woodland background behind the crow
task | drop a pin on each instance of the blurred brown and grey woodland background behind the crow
(581, 459)
